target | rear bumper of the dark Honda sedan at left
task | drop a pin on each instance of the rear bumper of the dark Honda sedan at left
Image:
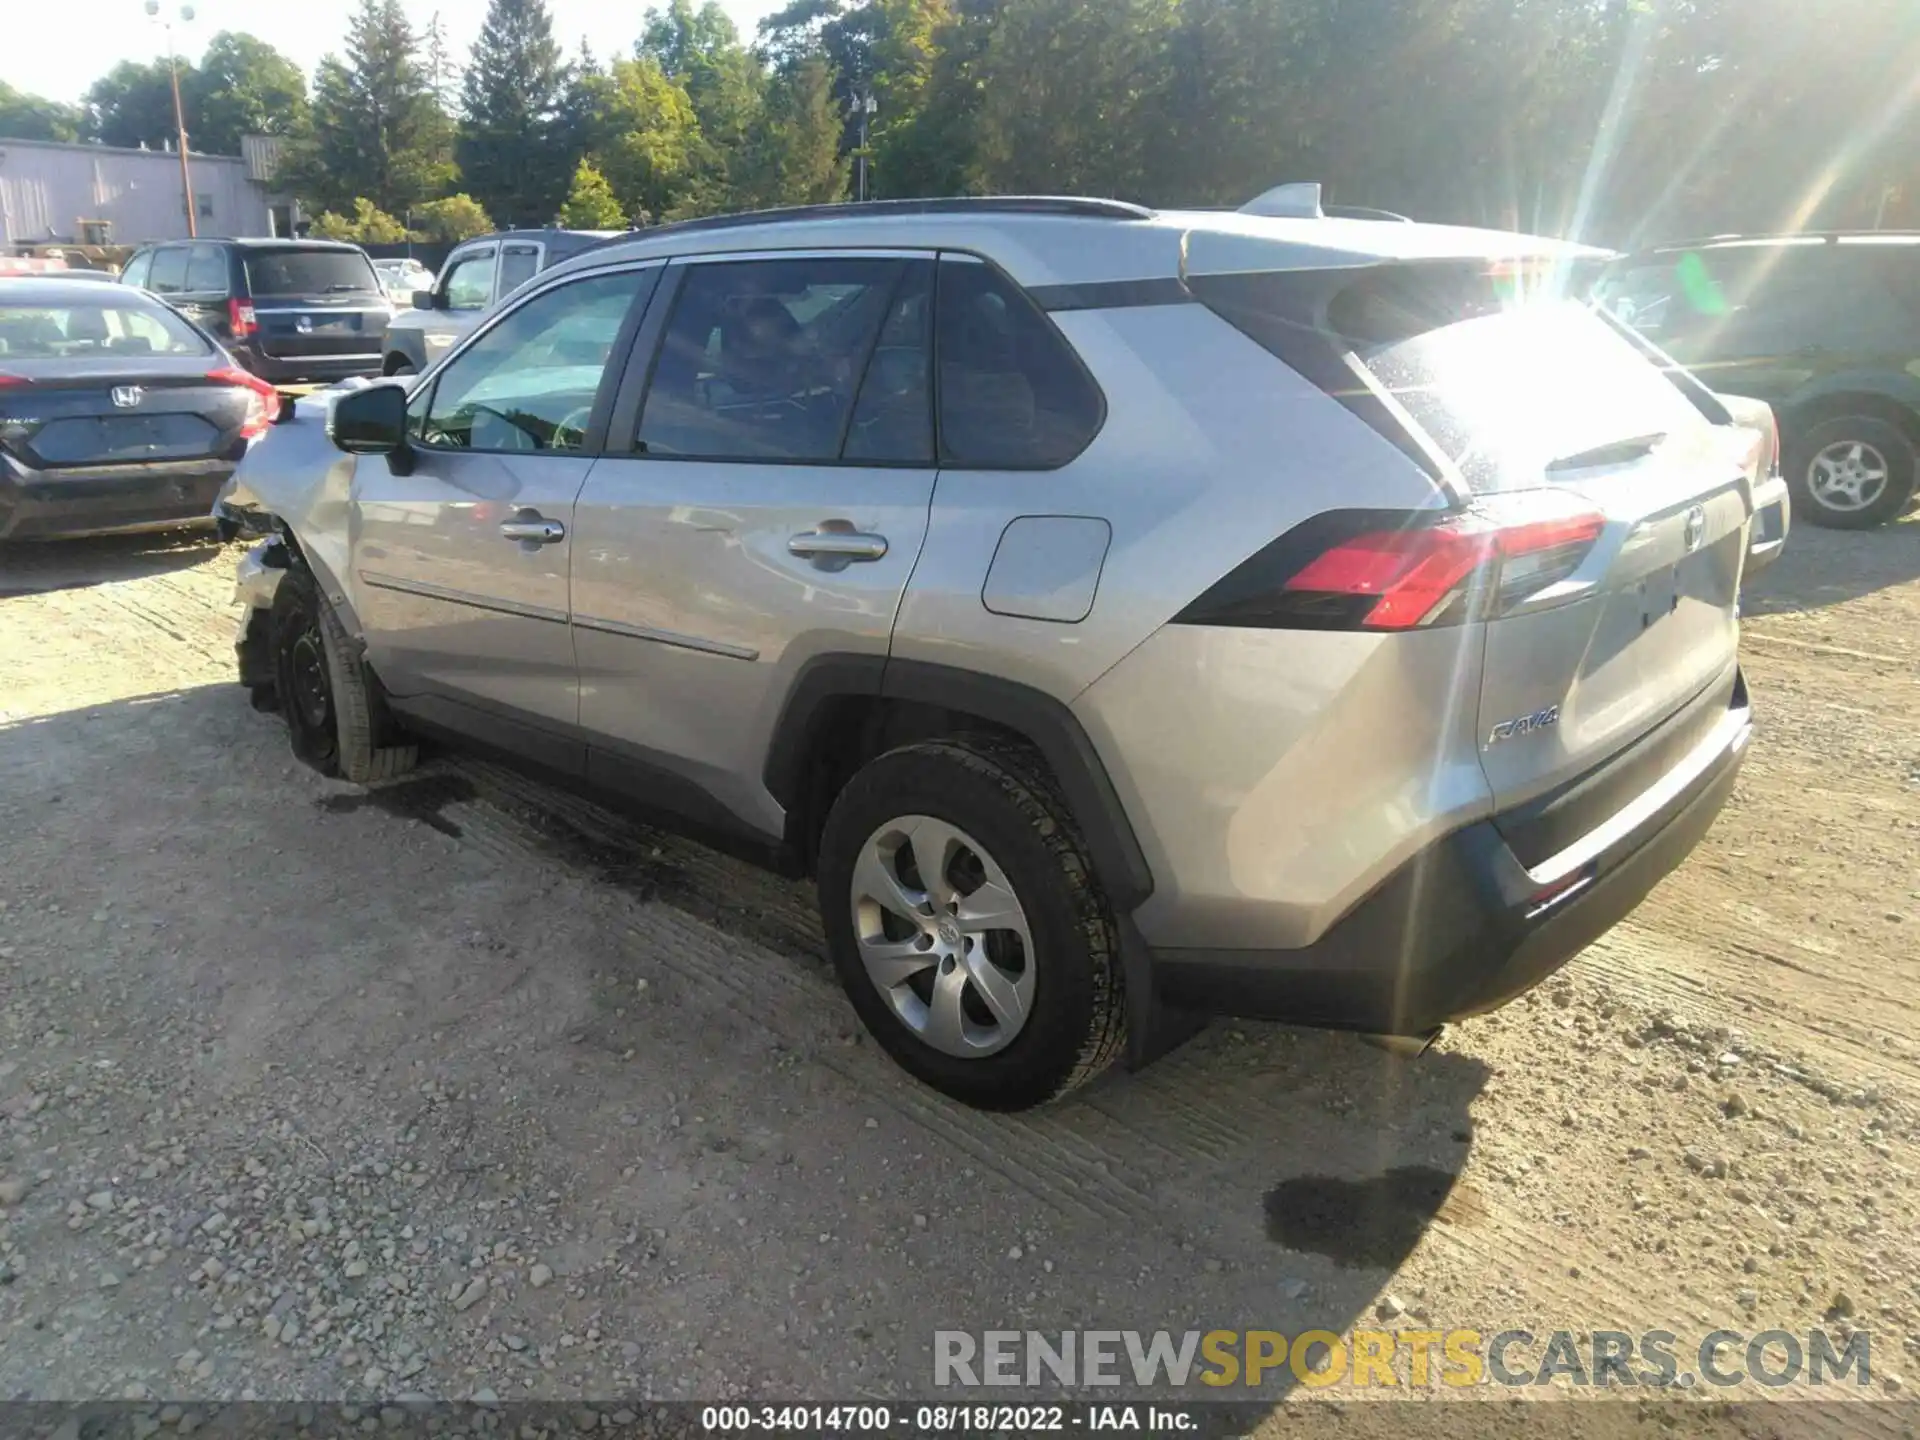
(68, 504)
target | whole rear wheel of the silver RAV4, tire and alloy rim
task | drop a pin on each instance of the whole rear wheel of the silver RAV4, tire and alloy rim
(967, 923)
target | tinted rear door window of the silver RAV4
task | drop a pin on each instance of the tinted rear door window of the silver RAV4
(763, 360)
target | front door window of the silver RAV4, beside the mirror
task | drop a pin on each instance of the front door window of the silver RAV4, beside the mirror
(529, 385)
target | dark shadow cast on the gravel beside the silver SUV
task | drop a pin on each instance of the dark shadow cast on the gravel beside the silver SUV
(496, 1009)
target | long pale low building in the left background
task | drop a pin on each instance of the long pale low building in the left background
(105, 197)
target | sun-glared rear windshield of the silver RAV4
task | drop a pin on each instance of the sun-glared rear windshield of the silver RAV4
(1500, 375)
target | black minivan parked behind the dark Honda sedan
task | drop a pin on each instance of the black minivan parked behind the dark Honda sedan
(287, 310)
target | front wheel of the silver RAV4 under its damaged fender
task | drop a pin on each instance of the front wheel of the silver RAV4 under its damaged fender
(333, 715)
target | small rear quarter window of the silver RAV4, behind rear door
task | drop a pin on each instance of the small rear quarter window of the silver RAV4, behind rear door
(1013, 393)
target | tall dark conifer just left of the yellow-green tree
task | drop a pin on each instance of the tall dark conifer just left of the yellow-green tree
(512, 141)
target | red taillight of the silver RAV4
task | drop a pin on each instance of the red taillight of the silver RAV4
(1404, 571)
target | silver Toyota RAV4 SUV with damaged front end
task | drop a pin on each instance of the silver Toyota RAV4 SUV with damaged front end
(1124, 615)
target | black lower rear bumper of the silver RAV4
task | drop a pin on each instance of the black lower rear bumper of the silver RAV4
(1466, 926)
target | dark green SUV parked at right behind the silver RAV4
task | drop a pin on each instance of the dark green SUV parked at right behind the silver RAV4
(1823, 327)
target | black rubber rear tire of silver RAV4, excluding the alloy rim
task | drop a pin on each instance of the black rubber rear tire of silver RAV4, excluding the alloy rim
(999, 794)
